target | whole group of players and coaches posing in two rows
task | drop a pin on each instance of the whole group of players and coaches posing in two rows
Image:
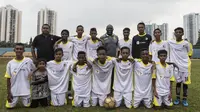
(101, 71)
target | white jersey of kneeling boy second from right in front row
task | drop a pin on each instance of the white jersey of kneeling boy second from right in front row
(143, 79)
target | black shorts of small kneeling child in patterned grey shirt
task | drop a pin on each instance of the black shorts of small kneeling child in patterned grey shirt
(35, 103)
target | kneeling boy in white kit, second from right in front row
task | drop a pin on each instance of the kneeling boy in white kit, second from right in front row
(143, 80)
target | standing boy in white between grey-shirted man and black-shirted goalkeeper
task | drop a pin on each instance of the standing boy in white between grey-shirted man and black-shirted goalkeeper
(126, 41)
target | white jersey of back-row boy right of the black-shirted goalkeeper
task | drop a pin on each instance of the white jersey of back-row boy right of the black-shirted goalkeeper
(154, 47)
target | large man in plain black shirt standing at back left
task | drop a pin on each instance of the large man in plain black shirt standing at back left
(44, 44)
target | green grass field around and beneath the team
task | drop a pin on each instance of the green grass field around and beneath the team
(193, 98)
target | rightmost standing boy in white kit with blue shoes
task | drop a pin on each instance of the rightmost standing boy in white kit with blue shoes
(179, 54)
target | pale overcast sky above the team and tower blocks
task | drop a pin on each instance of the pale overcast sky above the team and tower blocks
(100, 13)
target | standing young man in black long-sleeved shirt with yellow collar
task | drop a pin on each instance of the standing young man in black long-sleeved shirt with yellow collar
(140, 41)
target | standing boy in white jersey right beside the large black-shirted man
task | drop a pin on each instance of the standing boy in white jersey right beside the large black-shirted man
(66, 45)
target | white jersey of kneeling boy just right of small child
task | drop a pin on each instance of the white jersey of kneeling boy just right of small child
(58, 76)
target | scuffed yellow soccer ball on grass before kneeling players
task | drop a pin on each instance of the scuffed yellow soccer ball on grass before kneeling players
(109, 103)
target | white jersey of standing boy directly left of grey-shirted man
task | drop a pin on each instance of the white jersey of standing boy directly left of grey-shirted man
(92, 48)
